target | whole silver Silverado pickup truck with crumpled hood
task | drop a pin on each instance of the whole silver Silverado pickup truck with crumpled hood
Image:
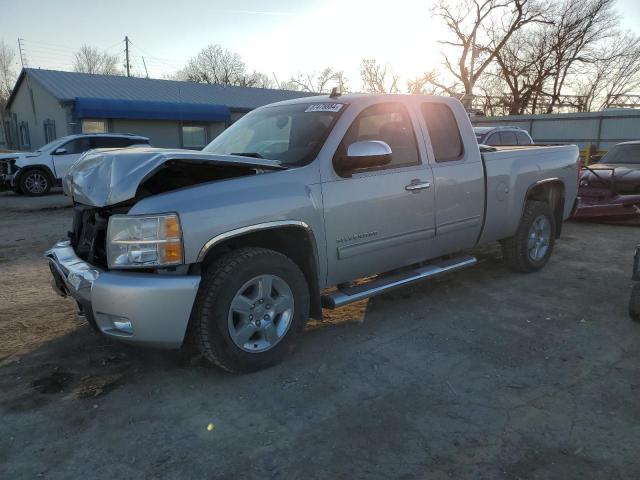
(304, 204)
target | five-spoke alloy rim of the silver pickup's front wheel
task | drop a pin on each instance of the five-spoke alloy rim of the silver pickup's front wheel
(260, 313)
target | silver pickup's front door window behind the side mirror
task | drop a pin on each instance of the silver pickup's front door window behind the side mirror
(390, 123)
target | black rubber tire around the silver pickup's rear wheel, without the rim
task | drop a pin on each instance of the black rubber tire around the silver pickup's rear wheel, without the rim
(515, 249)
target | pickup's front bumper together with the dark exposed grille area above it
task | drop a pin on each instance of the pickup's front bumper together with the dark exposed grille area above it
(144, 306)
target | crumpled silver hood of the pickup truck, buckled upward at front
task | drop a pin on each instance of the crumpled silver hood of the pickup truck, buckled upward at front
(111, 176)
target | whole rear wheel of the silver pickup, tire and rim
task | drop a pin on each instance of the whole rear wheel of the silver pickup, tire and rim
(530, 248)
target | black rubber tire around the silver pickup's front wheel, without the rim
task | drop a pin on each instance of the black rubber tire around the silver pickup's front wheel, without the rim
(220, 283)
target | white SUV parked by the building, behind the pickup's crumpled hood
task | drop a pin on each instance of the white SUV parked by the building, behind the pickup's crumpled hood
(34, 173)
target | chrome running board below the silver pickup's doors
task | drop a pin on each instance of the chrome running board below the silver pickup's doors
(356, 293)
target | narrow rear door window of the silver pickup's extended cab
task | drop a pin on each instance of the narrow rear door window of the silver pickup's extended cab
(443, 131)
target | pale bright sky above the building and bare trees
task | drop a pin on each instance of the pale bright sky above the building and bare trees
(281, 37)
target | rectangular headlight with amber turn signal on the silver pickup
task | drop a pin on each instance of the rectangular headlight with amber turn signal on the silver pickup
(139, 241)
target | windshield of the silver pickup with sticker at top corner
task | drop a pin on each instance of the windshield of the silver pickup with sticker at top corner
(292, 134)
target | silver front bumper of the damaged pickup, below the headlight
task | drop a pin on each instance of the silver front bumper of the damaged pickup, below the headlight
(141, 308)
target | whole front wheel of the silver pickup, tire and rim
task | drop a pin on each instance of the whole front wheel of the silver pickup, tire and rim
(252, 305)
